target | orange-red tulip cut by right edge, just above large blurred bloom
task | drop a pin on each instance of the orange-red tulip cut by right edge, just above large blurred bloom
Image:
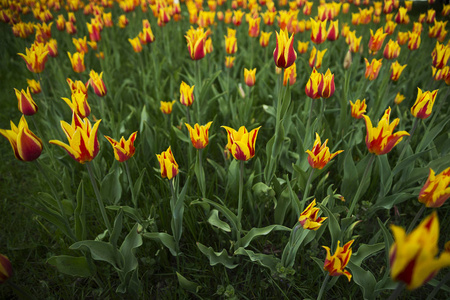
(436, 189)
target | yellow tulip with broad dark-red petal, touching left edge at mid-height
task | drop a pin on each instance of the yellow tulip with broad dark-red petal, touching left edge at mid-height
(25, 144)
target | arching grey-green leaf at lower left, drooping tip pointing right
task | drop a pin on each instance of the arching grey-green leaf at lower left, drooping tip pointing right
(100, 251)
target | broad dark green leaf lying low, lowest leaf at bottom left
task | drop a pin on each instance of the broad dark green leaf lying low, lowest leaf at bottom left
(71, 265)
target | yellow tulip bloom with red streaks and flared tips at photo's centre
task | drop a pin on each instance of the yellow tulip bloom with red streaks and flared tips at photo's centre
(241, 143)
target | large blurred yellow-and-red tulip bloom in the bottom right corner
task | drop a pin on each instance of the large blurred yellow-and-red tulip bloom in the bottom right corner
(412, 257)
